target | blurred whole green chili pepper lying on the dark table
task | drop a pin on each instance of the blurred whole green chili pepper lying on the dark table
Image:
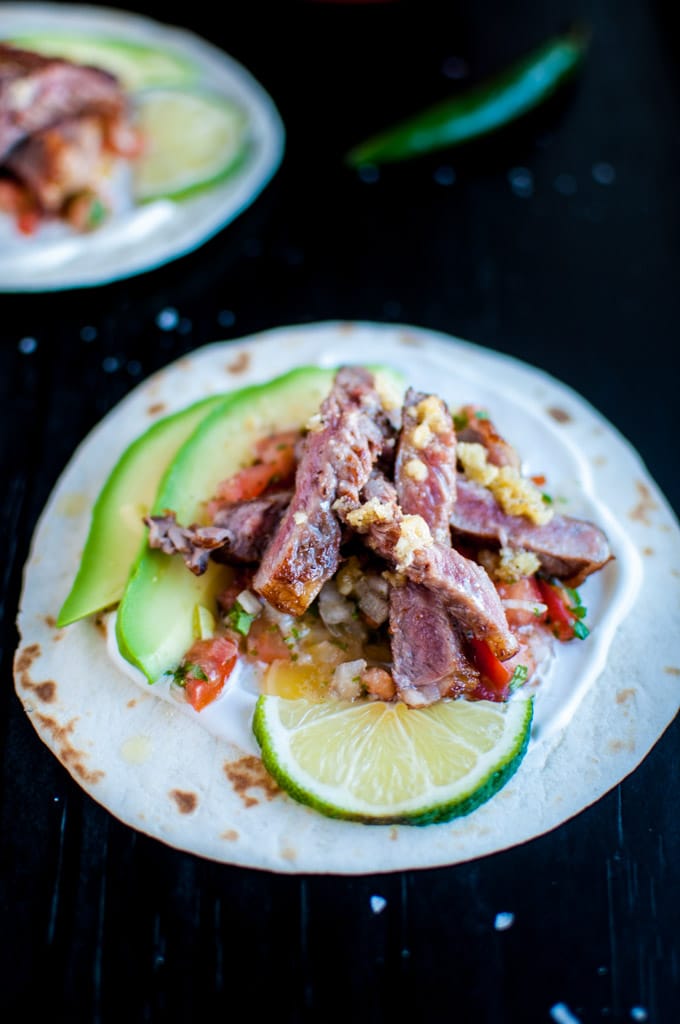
(482, 109)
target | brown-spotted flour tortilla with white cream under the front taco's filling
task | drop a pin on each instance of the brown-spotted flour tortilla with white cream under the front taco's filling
(197, 784)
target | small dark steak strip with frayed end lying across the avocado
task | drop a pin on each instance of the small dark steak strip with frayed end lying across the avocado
(238, 535)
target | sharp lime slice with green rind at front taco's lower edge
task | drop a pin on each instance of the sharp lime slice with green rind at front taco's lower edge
(385, 763)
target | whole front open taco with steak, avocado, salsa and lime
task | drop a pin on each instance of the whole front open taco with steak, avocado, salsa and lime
(347, 591)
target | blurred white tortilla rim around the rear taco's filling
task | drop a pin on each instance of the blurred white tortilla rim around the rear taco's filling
(144, 238)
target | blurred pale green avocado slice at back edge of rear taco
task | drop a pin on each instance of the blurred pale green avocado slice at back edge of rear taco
(136, 65)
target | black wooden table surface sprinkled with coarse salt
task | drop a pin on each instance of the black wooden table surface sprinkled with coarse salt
(558, 243)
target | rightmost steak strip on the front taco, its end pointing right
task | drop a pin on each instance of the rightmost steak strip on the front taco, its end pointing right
(570, 549)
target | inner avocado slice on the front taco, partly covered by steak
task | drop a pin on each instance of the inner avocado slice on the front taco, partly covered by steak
(155, 626)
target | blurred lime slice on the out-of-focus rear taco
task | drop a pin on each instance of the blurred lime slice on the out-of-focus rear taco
(192, 142)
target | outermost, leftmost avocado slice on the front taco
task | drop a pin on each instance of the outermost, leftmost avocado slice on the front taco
(116, 528)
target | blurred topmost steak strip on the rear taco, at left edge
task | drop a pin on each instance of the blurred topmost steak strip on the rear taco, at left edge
(38, 93)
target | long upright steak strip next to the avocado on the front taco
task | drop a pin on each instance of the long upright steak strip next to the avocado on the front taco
(337, 459)
